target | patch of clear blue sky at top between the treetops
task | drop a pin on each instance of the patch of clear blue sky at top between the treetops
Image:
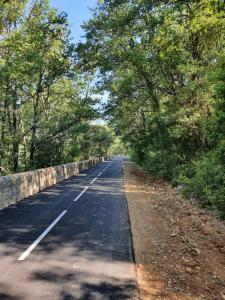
(77, 11)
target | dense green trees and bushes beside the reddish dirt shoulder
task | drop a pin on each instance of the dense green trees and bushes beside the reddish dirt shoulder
(162, 63)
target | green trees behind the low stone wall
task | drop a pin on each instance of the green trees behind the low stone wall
(46, 103)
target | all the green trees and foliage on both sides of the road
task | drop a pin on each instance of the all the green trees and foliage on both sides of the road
(161, 63)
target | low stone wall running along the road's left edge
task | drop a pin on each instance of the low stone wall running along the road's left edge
(18, 186)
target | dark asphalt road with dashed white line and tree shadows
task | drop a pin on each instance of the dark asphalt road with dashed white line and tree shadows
(70, 241)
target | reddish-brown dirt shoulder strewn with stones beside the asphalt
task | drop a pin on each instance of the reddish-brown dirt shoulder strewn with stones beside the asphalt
(179, 248)
